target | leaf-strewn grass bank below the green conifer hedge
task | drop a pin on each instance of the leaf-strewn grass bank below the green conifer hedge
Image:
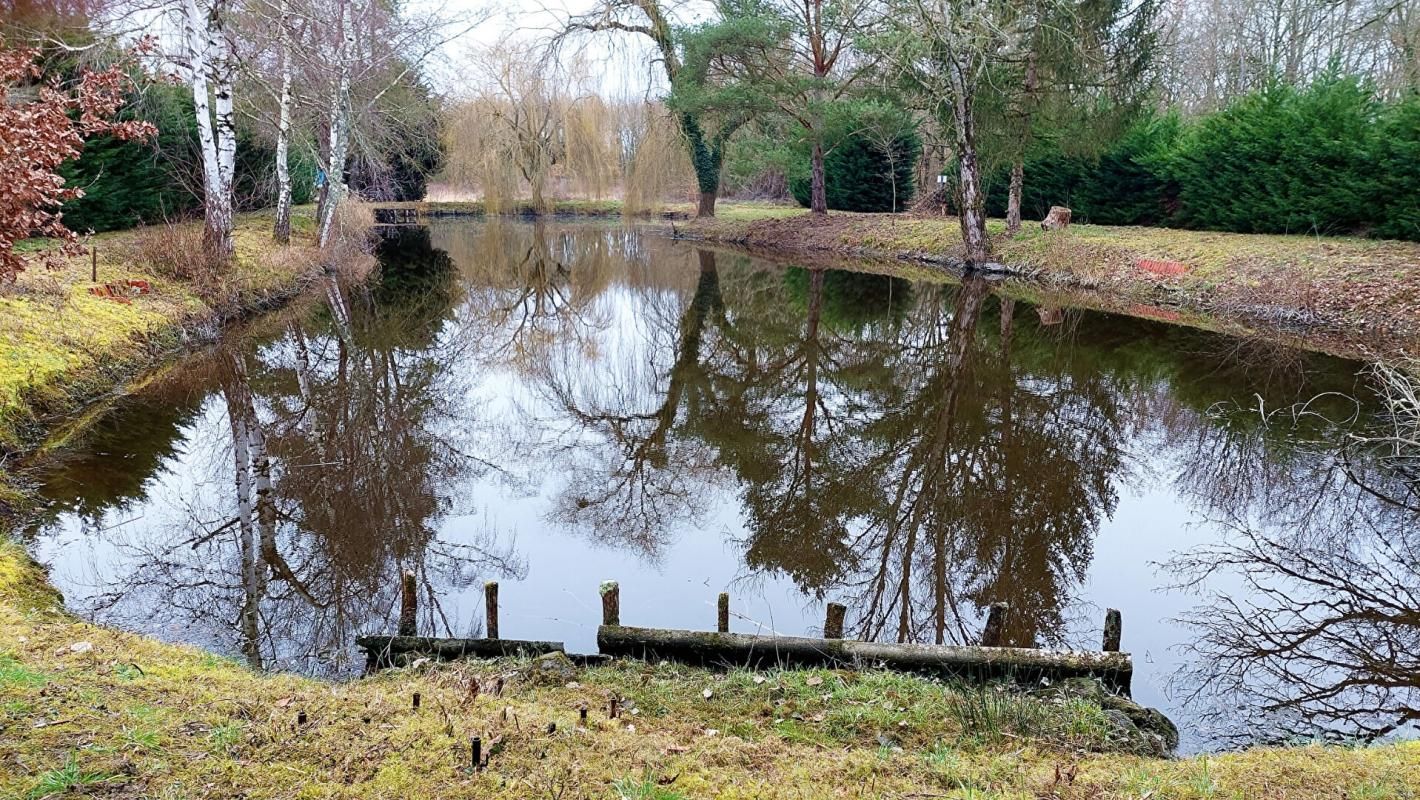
(1361, 293)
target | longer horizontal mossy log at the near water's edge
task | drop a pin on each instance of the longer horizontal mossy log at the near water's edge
(1030, 667)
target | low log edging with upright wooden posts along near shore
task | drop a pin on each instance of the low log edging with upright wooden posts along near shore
(722, 649)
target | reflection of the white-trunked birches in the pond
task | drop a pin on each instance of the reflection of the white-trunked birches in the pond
(344, 451)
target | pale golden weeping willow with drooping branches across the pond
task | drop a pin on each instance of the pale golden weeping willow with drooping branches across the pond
(535, 130)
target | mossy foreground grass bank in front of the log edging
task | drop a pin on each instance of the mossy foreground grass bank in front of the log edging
(87, 711)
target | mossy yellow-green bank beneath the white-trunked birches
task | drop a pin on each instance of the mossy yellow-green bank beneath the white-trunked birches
(63, 347)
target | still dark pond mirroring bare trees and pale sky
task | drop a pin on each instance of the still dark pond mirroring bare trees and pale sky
(557, 404)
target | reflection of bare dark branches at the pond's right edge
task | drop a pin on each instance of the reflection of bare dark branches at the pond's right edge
(1326, 636)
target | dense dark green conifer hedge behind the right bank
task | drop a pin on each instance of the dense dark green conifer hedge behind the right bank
(1326, 160)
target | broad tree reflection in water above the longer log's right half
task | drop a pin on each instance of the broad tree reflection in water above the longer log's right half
(995, 474)
